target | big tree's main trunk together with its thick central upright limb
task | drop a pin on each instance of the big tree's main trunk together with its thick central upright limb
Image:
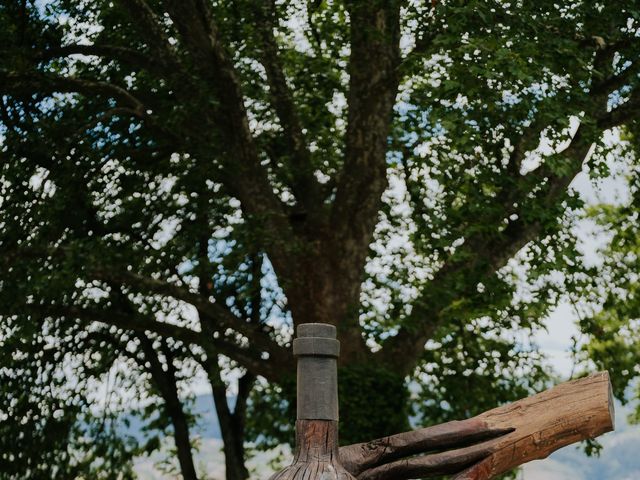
(322, 282)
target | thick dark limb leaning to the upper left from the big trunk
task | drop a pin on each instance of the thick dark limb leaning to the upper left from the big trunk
(245, 176)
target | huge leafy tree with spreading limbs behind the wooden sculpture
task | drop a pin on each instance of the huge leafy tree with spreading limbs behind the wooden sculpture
(205, 175)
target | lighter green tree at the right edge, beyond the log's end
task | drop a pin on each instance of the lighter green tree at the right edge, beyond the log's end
(610, 322)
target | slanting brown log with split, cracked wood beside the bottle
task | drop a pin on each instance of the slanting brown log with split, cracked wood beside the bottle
(494, 442)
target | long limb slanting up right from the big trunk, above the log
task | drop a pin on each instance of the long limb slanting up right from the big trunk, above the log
(489, 252)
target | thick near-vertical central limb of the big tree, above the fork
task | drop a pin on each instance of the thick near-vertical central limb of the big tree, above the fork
(373, 83)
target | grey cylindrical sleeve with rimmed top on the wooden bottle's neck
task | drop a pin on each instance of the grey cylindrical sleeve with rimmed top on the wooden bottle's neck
(317, 351)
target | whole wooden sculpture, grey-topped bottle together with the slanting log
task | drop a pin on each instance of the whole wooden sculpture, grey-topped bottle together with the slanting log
(478, 448)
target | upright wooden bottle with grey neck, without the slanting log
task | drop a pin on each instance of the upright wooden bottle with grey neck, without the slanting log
(316, 454)
